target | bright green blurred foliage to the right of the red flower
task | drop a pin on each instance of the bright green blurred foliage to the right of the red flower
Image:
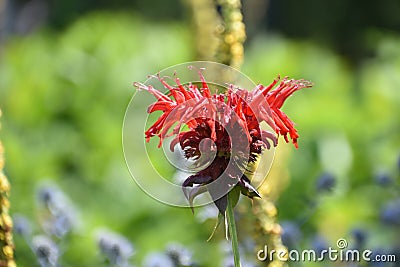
(349, 126)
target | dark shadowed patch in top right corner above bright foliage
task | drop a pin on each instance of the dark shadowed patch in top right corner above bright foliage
(343, 25)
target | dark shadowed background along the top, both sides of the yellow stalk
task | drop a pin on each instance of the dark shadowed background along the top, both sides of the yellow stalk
(343, 25)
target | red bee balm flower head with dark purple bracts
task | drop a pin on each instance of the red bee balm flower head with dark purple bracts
(225, 124)
